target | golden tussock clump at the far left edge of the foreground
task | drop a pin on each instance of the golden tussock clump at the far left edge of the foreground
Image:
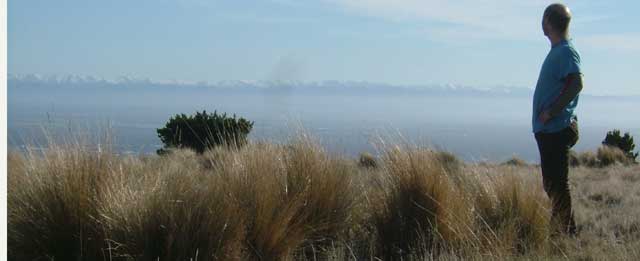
(53, 203)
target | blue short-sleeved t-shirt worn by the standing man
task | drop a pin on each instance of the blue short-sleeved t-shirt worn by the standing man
(562, 60)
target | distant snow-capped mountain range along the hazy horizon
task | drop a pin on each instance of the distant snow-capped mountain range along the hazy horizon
(329, 86)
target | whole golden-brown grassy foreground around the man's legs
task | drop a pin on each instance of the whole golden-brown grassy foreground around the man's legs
(294, 201)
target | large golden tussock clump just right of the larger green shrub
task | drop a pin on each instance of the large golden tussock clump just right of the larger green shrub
(293, 197)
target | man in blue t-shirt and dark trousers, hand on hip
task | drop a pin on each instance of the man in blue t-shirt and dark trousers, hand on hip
(554, 121)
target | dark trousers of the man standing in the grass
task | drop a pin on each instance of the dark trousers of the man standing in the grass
(554, 161)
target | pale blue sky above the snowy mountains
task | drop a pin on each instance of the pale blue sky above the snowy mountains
(406, 42)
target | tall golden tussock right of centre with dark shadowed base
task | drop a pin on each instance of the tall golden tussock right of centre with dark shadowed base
(419, 207)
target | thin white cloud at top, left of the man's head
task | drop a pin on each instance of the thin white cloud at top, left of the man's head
(497, 19)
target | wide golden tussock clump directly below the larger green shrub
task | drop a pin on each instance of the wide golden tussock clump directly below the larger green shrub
(169, 208)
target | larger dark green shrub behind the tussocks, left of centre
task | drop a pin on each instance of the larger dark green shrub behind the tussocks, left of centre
(204, 131)
